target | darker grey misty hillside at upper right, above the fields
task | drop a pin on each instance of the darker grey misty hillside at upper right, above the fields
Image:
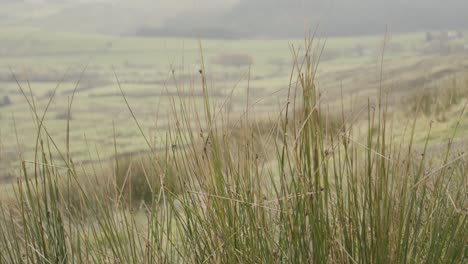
(280, 18)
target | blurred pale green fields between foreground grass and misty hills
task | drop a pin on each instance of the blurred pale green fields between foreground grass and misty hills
(154, 70)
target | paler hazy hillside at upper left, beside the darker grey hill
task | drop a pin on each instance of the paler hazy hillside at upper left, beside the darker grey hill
(101, 17)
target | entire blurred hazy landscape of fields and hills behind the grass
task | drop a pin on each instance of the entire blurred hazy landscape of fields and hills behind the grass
(153, 47)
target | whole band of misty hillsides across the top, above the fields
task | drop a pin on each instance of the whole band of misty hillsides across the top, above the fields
(235, 18)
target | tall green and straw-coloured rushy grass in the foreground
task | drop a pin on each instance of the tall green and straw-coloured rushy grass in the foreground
(292, 193)
